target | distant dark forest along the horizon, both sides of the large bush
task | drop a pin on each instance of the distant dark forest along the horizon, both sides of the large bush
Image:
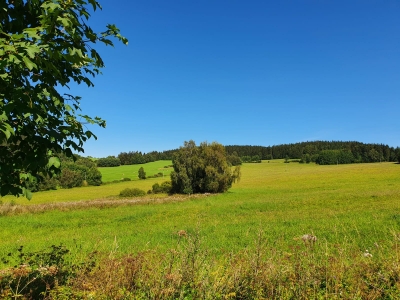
(321, 152)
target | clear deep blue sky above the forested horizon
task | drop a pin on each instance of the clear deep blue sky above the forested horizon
(246, 73)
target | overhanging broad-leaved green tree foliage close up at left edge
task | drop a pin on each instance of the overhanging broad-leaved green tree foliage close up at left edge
(44, 45)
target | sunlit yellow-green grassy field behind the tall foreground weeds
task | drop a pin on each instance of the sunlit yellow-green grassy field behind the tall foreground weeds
(349, 208)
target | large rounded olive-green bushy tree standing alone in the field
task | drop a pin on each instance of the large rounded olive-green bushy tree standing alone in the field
(202, 169)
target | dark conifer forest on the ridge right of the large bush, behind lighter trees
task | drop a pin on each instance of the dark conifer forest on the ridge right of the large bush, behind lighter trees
(360, 151)
